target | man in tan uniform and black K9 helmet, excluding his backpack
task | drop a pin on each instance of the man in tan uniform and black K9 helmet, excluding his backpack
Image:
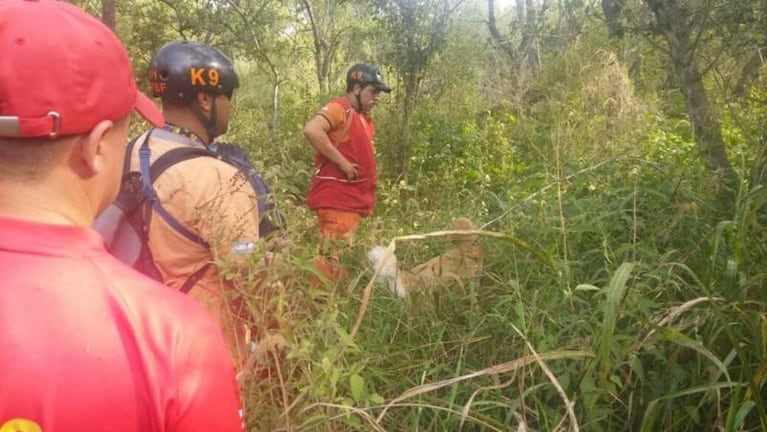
(213, 209)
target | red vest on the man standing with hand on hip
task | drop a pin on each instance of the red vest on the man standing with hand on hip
(329, 187)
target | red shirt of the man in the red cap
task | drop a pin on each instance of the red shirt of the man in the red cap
(88, 344)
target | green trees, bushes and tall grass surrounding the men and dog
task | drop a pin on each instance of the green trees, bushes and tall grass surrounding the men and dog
(624, 275)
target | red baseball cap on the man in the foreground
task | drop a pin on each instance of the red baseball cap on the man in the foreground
(62, 71)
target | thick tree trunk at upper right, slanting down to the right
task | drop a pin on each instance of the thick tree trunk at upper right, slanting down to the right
(674, 27)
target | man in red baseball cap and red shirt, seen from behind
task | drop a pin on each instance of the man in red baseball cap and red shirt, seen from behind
(86, 343)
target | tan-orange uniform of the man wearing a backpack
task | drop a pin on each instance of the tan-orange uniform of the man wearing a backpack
(214, 200)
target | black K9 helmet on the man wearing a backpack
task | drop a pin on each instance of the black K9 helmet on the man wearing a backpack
(179, 70)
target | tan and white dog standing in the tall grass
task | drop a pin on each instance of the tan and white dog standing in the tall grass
(458, 264)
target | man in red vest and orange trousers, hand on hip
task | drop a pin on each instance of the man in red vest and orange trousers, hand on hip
(343, 188)
